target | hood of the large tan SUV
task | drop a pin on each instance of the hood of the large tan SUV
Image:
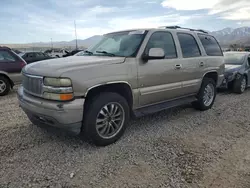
(55, 67)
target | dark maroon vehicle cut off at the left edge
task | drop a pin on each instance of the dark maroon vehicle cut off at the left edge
(10, 70)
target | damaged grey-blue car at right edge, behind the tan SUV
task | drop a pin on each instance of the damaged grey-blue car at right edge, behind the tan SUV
(237, 72)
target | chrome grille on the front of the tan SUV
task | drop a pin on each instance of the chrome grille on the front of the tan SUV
(32, 84)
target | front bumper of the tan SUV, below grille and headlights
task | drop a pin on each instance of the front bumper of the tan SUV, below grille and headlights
(65, 115)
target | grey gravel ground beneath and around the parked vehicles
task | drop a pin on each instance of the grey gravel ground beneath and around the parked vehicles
(174, 148)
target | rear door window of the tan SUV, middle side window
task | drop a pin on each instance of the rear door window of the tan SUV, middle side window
(189, 45)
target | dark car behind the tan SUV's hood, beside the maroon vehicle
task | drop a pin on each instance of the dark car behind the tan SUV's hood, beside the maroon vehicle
(31, 57)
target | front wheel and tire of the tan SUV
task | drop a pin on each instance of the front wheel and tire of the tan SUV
(95, 110)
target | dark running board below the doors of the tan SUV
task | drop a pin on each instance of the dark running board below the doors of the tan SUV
(163, 106)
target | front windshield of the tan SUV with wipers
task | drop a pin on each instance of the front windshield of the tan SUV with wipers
(123, 44)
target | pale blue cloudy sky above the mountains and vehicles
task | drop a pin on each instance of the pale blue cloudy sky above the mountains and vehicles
(40, 20)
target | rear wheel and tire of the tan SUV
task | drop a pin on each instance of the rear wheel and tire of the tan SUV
(201, 104)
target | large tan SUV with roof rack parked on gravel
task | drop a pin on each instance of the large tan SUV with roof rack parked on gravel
(128, 73)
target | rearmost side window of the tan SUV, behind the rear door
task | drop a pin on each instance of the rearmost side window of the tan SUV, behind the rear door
(210, 45)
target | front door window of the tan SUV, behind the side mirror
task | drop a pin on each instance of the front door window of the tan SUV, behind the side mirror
(165, 41)
